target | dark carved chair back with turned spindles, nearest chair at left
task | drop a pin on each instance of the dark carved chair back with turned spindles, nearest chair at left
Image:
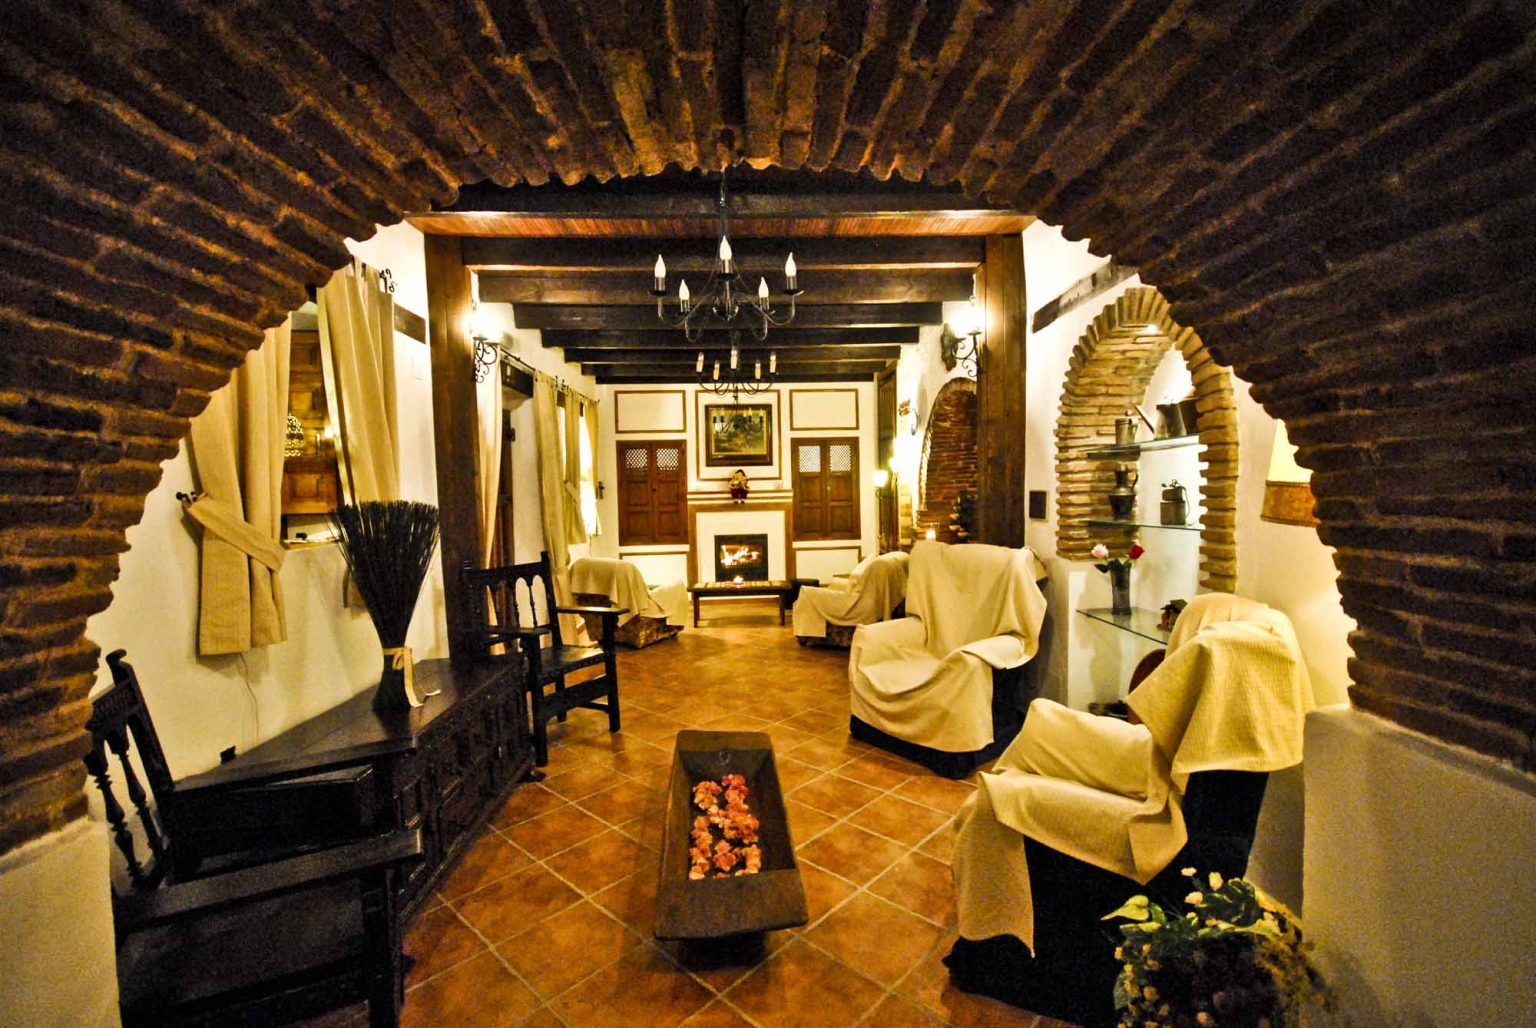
(121, 725)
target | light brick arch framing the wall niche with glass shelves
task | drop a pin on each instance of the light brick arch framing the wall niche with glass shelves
(1111, 368)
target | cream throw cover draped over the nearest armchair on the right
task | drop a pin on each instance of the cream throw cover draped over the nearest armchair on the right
(1231, 695)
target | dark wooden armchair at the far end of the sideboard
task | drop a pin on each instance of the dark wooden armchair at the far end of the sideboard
(521, 623)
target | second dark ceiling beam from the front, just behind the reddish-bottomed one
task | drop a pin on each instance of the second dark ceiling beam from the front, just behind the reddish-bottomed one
(697, 256)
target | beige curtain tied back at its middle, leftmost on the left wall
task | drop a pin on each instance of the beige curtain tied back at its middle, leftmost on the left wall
(237, 456)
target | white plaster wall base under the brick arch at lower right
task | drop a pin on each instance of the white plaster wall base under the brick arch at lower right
(1418, 877)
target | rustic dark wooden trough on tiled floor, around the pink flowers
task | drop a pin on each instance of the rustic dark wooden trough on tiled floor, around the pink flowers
(721, 907)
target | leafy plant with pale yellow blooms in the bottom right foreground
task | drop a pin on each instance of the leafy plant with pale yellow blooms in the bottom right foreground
(1233, 960)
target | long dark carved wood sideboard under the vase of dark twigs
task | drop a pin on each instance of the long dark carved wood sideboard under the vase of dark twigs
(442, 768)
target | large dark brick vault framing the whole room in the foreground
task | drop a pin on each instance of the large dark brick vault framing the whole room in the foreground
(1336, 196)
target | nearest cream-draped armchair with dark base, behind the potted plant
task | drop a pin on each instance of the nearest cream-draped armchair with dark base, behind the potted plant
(1084, 812)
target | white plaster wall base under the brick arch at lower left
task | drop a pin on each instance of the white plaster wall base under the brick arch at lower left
(56, 917)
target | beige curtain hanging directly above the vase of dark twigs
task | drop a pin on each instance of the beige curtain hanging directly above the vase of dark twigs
(357, 339)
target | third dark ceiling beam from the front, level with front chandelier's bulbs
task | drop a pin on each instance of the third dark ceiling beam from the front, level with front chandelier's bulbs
(821, 288)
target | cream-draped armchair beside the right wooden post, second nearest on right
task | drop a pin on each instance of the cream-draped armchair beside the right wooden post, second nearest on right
(942, 686)
